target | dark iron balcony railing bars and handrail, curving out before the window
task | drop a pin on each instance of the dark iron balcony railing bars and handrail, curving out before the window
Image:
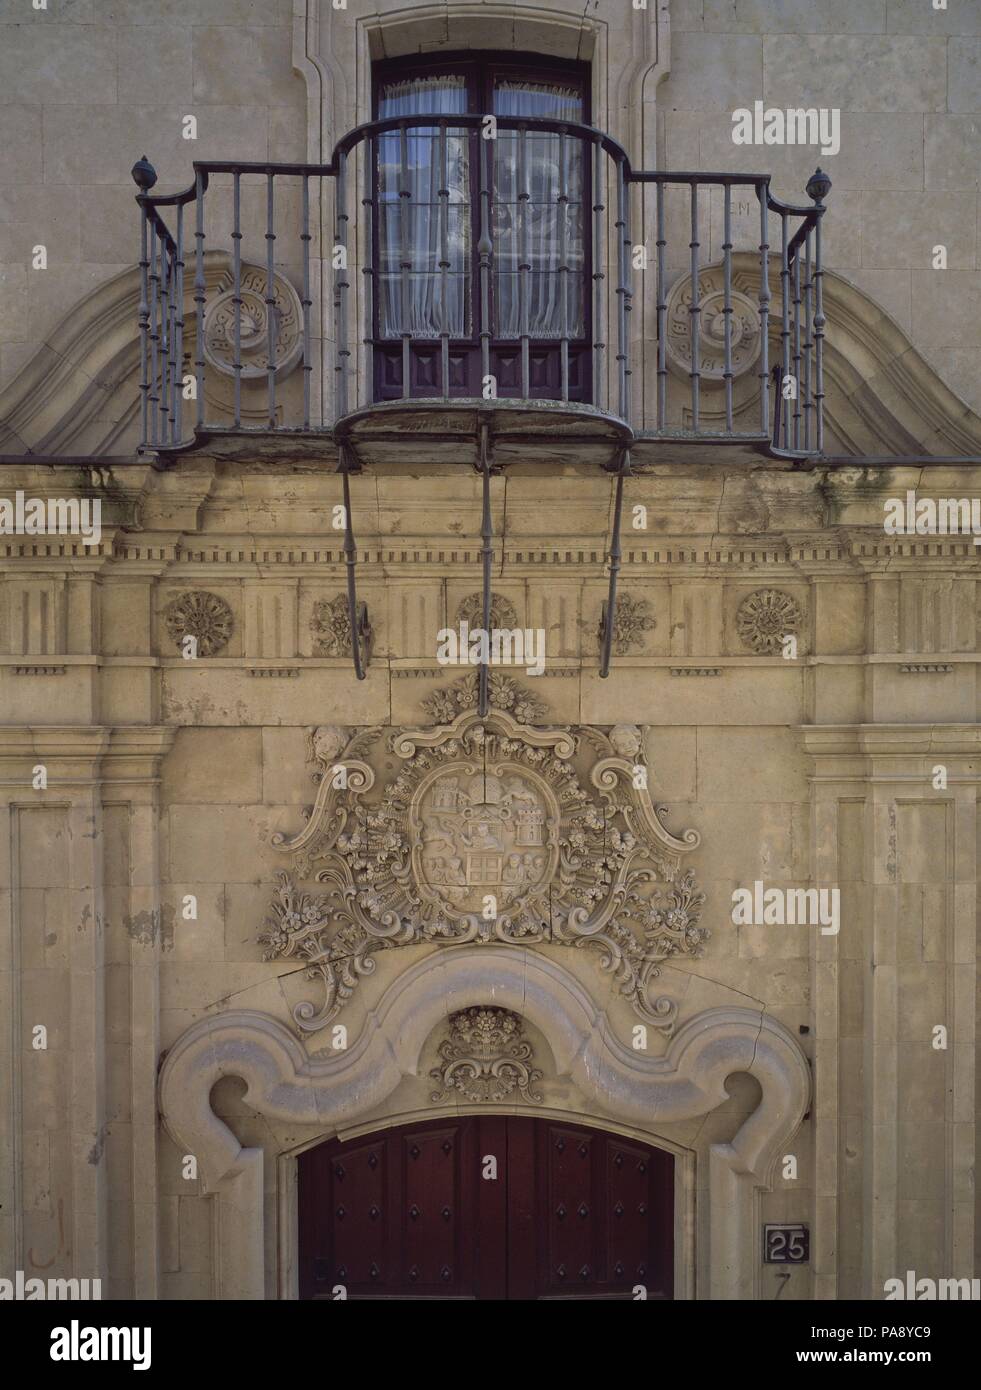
(313, 233)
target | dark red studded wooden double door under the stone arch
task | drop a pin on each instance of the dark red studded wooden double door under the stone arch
(573, 1213)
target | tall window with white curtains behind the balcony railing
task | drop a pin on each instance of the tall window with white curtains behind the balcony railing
(433, 191)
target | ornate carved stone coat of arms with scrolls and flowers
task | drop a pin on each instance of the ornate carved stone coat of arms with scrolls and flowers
(484, 831)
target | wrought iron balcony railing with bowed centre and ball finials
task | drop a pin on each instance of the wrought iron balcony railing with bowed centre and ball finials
(538, 268)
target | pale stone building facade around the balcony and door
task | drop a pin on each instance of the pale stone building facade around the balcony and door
(152, 796)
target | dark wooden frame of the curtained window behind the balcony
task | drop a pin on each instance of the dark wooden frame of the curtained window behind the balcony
(481, 70)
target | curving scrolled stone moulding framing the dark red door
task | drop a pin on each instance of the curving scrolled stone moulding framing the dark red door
(627, 1090)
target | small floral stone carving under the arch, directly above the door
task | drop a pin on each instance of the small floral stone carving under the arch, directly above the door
(486, 1058)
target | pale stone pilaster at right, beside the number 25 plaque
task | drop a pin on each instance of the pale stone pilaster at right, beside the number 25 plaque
(898, 1157)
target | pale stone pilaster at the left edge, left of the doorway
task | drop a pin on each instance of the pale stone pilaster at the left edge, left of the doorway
(58, 1117)
